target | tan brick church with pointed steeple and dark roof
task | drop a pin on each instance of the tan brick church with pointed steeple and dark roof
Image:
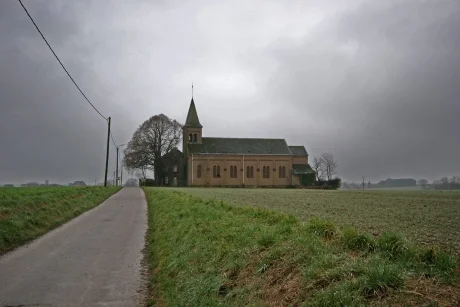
(240, 162)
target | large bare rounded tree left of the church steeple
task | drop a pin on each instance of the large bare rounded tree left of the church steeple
(152, 140)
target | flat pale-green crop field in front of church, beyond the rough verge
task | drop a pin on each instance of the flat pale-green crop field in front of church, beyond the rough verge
(427, 217)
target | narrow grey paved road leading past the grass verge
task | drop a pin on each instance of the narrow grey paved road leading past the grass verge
(94, 260)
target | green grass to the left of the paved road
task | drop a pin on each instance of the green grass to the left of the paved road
(26, 213)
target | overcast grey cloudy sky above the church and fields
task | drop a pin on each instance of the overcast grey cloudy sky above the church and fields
(376, 83)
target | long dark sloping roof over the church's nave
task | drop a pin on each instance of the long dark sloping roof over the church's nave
(239, 146)
